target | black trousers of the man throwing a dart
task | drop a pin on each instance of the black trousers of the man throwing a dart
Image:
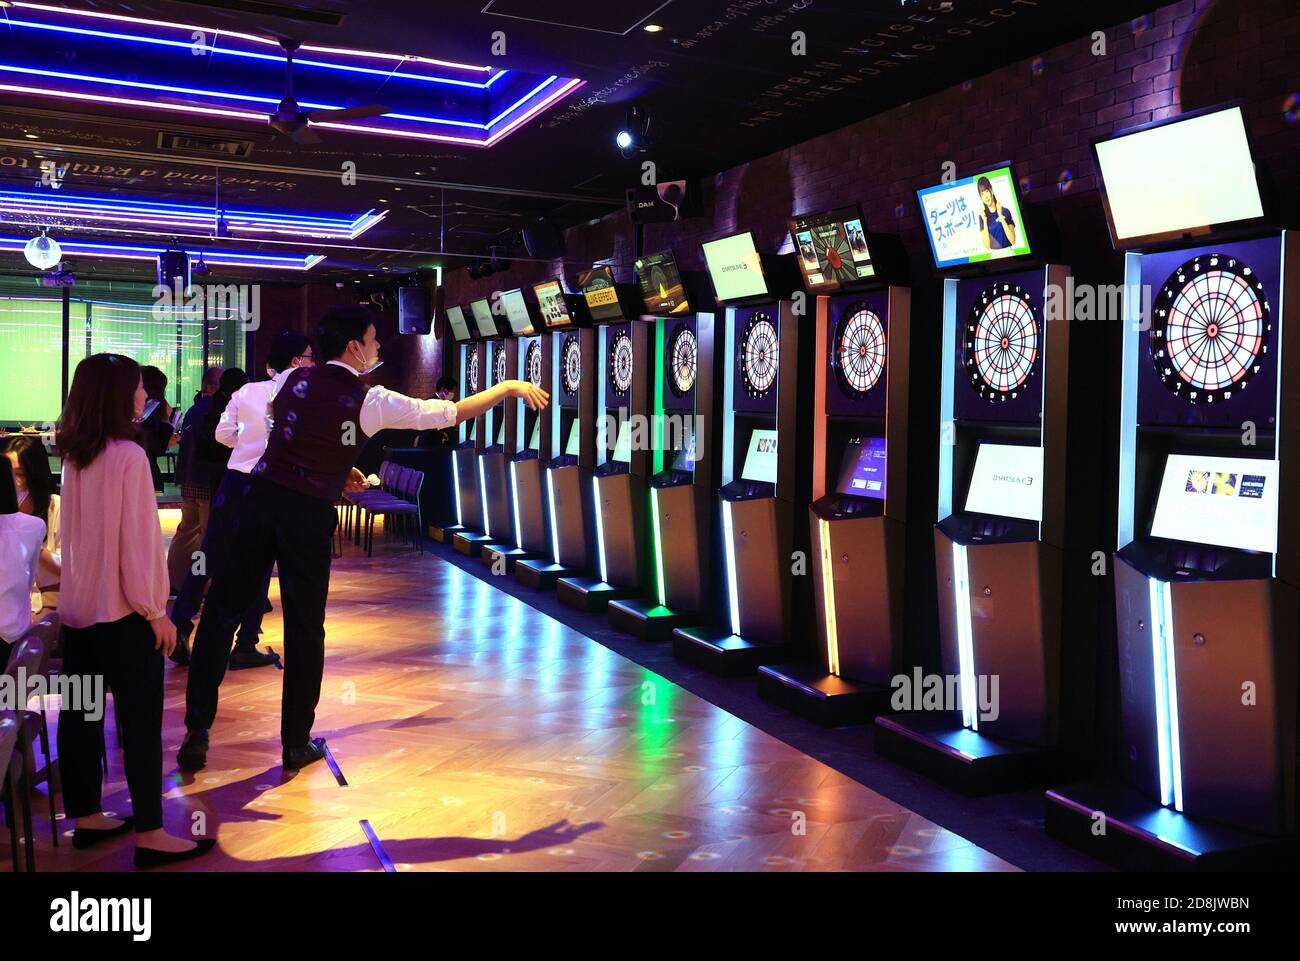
(296, 533)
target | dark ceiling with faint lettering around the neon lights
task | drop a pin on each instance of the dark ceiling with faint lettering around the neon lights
(725, 81)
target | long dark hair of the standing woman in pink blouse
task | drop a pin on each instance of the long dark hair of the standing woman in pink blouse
(101, 408)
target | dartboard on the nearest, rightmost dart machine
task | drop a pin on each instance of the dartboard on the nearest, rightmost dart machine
(1211, 328)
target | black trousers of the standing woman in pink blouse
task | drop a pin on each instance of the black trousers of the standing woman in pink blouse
(122, 653)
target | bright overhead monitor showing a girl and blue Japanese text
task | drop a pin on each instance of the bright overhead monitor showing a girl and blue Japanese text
(974, 220)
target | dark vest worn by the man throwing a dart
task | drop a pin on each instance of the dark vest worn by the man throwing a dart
(315, 432)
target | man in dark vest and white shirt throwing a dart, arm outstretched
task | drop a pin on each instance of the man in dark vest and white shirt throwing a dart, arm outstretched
(320, 418)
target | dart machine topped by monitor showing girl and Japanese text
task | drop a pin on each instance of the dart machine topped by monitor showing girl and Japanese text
(1000, 539)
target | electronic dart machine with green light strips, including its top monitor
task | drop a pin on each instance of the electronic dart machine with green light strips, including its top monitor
(684, 471)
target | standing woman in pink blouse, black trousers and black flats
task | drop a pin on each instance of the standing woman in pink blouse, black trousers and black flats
(115, 590)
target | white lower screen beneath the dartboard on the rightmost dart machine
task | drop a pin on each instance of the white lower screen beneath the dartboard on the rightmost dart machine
(1229, 503)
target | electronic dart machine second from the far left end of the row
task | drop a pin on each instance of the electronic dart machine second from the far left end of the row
(489, 462)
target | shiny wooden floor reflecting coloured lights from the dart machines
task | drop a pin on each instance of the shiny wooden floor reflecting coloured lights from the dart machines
(478, 734)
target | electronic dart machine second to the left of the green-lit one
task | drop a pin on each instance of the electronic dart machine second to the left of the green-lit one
(567, 440)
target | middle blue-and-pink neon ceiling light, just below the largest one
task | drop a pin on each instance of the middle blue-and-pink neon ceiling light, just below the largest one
(44, 204)
